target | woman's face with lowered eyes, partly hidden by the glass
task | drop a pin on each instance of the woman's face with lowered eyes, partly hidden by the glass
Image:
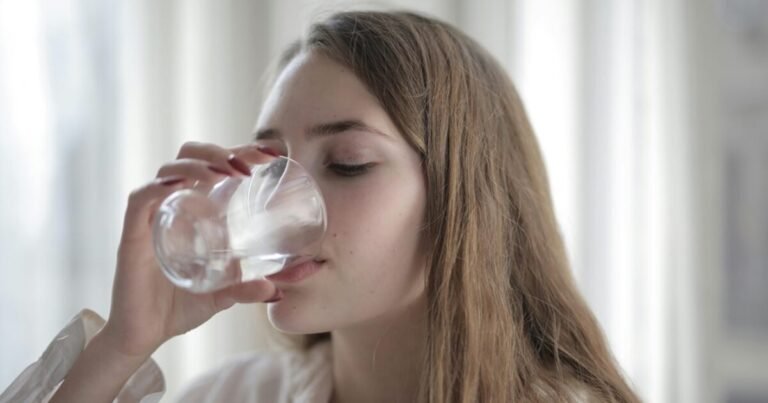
(374, 193)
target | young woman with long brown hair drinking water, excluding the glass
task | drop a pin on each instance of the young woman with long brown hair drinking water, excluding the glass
(443, 277)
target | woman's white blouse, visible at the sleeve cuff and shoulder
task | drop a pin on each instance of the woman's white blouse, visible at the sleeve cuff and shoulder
(304, 377)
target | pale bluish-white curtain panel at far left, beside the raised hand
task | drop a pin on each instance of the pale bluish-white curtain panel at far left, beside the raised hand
(59, 197)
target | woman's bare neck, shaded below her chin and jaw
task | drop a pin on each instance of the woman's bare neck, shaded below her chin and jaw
(380, 361)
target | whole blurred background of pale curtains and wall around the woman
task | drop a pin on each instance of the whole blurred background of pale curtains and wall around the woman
(652, 115)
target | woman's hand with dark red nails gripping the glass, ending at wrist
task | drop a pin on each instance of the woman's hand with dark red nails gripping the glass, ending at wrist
(147, 309)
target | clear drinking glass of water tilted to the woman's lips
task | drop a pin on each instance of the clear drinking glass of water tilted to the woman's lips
(241, 228)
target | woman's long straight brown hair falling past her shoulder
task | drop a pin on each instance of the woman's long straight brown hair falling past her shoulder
(506, 322)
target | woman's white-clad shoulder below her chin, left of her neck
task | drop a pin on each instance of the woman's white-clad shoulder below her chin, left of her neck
(266, 376)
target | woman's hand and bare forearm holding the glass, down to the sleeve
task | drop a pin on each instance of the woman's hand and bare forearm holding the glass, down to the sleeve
(146, 308)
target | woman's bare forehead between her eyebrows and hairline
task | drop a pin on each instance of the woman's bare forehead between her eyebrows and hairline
(314, 87)
